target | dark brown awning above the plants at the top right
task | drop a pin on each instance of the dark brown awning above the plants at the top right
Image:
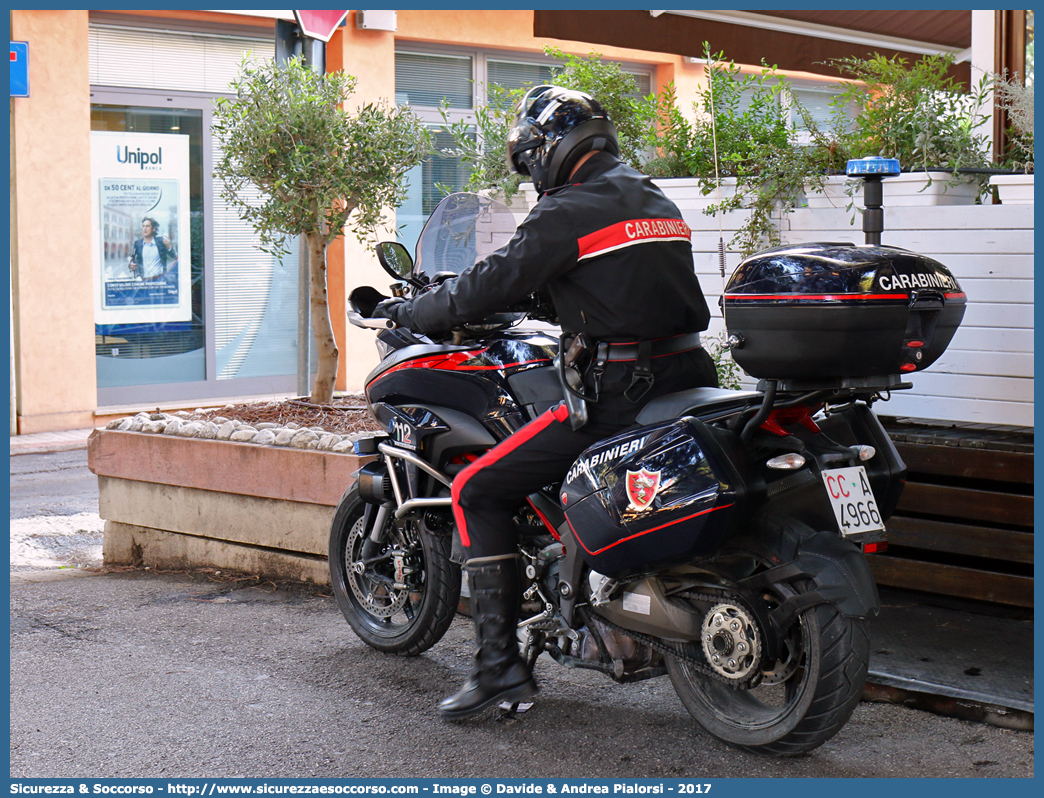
(803, 41)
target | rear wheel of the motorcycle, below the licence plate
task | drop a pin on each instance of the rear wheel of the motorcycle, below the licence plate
(800, 701)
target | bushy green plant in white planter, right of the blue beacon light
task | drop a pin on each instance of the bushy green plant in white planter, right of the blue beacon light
(920, 115)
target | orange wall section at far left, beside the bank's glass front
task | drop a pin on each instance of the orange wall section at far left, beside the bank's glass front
(52, 266)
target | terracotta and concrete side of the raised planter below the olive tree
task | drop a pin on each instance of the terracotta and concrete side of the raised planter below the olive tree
(181, 503)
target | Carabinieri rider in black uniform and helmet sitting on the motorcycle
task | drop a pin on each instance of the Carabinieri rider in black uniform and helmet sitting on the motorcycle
(615, 257)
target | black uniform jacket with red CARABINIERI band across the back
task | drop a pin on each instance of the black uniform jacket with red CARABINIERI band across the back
(609, 248)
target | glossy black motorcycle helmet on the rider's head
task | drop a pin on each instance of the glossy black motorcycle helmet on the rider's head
(554, 129)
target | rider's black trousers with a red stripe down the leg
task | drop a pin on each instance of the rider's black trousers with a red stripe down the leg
(488, 494)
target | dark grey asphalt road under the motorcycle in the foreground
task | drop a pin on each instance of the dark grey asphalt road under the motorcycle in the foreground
(147, 675)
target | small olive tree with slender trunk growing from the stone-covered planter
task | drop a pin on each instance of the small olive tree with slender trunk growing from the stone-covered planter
(295, 162)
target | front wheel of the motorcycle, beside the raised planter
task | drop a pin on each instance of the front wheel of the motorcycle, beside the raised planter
(405, 599)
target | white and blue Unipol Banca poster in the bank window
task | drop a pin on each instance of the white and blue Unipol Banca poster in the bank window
(143, 251)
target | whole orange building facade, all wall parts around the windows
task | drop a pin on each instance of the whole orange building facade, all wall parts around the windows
(53, 271)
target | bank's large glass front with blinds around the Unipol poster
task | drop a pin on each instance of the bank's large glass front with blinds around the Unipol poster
(242, 335)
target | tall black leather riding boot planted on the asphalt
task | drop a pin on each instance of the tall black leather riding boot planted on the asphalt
(500, 673)
